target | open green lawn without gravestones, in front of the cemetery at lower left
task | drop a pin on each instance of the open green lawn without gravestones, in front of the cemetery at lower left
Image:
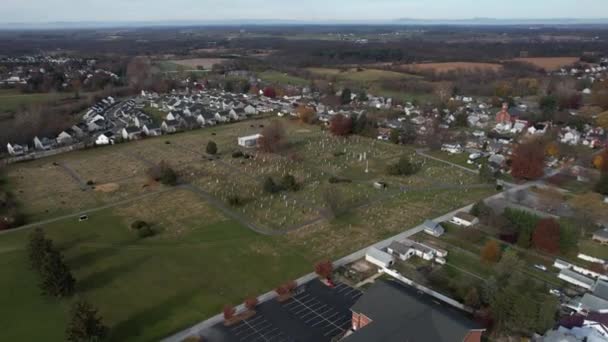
(146, 289)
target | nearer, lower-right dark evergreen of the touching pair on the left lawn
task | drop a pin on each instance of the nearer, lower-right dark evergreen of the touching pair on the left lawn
(57, 280)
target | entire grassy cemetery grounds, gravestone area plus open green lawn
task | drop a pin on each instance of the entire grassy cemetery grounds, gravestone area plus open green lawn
(193, 265)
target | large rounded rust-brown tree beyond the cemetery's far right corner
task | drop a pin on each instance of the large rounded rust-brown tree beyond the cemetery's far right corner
(528, 161)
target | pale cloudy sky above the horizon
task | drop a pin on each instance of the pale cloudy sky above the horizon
(309, 10)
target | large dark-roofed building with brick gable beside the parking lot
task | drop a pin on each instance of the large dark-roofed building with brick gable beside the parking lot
(391, 312)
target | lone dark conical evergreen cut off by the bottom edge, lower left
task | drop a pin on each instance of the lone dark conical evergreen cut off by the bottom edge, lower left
(85, 324)
